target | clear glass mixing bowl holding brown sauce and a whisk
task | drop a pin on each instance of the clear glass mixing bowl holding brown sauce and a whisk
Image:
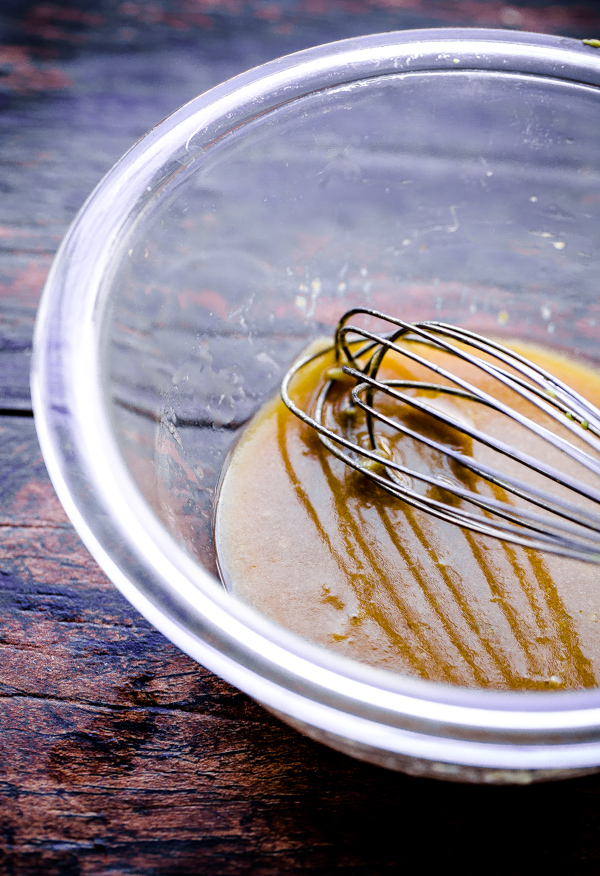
(453, 173)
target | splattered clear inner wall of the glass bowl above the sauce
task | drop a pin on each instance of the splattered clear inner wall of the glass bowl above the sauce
(471, 196)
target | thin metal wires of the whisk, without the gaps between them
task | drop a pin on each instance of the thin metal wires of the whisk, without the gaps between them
(564, 526)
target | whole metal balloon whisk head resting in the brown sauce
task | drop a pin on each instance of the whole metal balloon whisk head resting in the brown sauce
(530, 501)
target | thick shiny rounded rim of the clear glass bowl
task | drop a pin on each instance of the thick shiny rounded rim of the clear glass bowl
(298, 679)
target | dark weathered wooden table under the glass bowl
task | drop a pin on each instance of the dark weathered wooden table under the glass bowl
(119, 754)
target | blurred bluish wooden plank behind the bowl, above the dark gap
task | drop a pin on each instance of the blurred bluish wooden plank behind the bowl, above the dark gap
(87, 112)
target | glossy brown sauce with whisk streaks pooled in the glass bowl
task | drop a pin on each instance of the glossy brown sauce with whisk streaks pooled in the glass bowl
(318, 549)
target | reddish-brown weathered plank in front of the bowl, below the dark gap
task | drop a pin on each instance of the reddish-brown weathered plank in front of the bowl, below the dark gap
(120, 754)
